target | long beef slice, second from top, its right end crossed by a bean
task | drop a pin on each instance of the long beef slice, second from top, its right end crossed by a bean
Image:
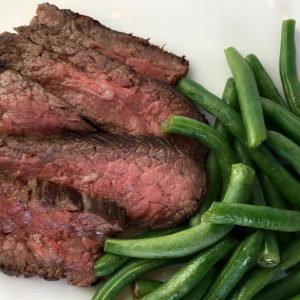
(102, 90)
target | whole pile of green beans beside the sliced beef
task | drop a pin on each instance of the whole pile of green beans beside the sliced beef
(246, 233)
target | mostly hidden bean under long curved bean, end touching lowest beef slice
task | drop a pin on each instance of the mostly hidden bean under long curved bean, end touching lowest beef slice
(109, 263)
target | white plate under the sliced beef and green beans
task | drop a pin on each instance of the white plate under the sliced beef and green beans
(198, 29)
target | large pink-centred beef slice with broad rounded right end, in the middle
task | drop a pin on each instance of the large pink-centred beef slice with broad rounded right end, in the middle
(155, 183)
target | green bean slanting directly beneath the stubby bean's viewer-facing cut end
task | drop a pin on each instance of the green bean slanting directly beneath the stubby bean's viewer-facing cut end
(260, 277)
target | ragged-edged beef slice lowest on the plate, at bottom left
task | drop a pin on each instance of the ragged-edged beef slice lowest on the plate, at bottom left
(49, 231)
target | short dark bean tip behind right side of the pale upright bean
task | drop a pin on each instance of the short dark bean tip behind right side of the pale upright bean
(264, 82)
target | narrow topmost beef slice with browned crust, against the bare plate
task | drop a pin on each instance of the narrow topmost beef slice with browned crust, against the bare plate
(139, 54)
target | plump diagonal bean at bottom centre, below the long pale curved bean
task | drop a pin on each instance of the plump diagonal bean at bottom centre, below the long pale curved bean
(190, 274)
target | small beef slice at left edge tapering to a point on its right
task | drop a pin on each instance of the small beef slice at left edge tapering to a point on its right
(27, 109)
